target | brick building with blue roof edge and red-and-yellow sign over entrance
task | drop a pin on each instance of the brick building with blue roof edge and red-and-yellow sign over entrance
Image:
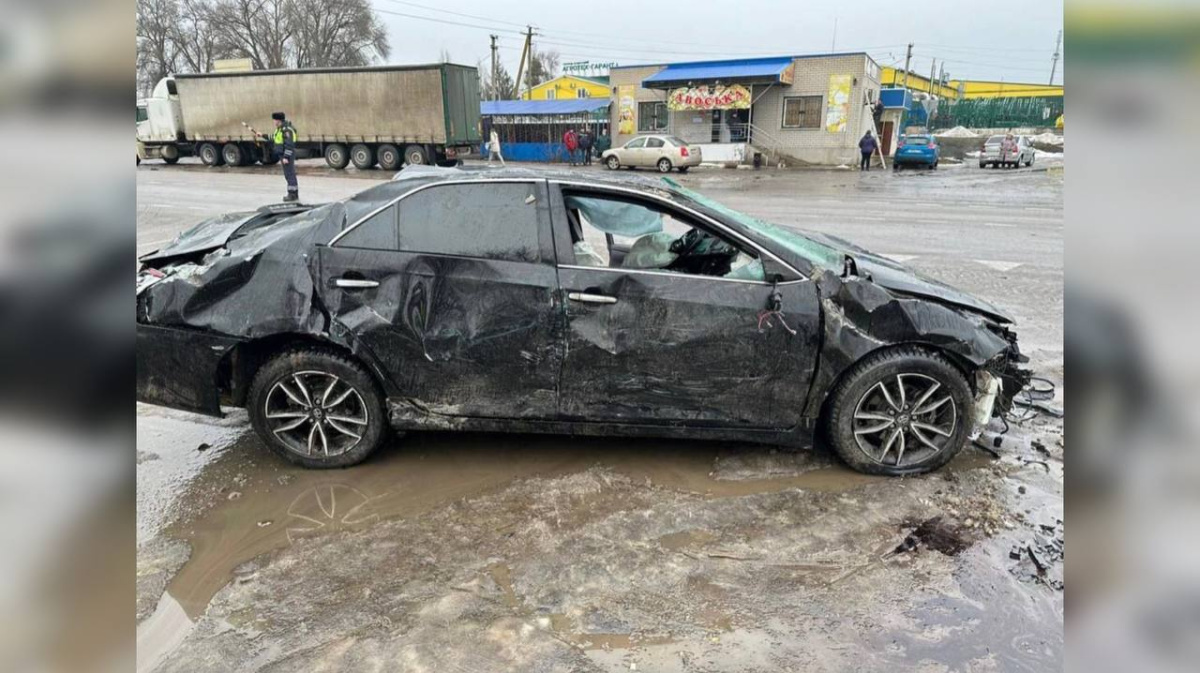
(800, 110)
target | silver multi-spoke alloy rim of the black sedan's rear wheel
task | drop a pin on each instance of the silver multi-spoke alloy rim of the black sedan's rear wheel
(316, 414)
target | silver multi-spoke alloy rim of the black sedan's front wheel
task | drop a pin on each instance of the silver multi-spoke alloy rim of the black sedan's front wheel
(910, 418)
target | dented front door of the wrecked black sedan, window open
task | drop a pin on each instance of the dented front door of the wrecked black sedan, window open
(657, 347)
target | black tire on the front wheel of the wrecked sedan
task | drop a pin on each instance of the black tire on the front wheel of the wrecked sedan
(911, 368)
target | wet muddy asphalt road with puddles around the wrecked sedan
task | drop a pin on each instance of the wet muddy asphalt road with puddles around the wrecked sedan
(494, 554)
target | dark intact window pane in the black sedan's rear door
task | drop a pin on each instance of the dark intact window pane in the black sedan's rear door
(488, 220)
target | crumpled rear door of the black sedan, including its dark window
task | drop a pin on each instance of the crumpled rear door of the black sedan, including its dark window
(453, 293)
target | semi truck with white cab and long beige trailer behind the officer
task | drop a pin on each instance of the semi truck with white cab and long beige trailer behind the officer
(383, 116)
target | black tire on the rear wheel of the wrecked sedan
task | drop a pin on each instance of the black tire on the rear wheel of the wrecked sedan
(314, 365)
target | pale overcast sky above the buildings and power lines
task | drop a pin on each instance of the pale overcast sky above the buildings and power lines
(1012, 39)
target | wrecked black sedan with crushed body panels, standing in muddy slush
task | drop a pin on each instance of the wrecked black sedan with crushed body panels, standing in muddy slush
(535, 302)
